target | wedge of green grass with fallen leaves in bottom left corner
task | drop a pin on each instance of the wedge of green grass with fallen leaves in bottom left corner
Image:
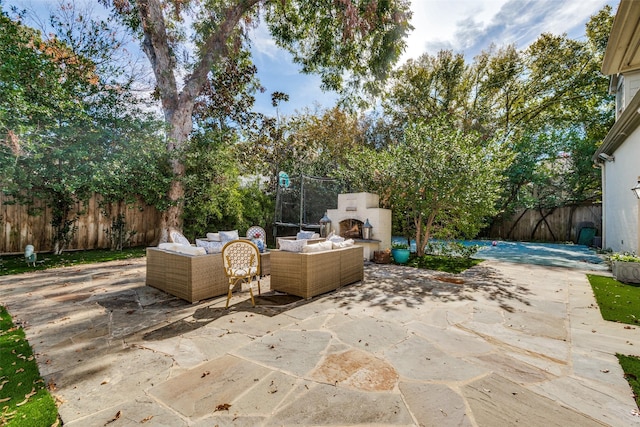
(23, 393)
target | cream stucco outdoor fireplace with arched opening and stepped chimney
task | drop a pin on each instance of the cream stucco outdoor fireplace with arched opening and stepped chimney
(357, 211)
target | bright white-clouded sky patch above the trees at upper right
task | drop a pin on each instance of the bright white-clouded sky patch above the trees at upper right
(468, 26)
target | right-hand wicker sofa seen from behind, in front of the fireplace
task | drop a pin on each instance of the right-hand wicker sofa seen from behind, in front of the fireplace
(309, 274)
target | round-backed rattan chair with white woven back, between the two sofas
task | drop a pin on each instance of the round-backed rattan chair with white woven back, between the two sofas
(241, 259)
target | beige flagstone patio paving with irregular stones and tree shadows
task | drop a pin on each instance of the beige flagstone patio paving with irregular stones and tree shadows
(501, 344)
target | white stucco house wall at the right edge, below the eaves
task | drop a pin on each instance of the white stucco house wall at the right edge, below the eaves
(620, 207)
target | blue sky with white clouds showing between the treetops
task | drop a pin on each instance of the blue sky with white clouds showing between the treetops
(464, 26)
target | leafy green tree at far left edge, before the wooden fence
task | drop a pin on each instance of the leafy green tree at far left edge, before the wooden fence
(41, 113)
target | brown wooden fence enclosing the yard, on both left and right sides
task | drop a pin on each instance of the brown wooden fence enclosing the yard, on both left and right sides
(20, 228)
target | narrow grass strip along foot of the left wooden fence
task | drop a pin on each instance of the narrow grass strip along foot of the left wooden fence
(15, 264)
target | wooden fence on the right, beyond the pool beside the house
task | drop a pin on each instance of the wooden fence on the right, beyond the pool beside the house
(548, 225)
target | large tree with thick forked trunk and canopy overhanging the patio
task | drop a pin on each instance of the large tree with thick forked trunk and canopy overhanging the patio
(363, 37)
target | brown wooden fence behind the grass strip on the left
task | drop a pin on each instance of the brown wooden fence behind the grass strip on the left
(20, 227)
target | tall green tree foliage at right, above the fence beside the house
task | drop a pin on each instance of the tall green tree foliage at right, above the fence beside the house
(547, 104)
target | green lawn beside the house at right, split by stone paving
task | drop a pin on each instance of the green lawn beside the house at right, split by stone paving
(620, 302)
